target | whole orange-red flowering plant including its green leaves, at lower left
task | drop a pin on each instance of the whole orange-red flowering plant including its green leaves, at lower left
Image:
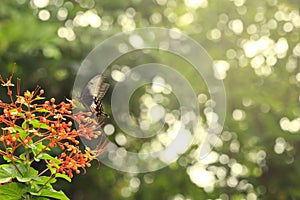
(37, 132)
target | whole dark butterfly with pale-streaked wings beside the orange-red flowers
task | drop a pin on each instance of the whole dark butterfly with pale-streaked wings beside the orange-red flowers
(92, 94)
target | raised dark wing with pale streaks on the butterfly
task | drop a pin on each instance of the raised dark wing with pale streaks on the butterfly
(94, 89)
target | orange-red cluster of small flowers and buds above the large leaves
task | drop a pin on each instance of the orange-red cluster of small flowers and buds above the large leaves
(30, 123)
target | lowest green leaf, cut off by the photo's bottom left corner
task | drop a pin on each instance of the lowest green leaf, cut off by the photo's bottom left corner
(12, 191)
